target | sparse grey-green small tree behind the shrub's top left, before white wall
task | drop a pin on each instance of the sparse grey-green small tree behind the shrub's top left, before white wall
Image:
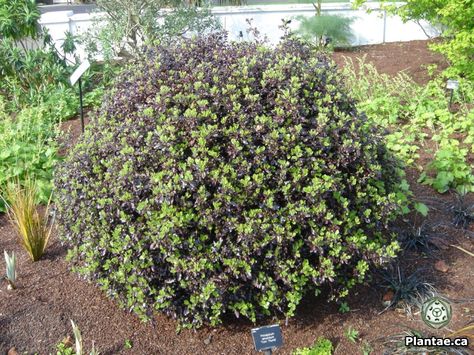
(130, 25)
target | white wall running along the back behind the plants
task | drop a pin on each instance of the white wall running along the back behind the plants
(367, 28)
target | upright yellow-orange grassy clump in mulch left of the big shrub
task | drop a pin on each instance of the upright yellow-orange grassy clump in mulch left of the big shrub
(33, 227)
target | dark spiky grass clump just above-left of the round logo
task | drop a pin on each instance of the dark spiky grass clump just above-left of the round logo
(410, 290)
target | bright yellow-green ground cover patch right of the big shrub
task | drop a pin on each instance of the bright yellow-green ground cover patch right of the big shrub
(417, 115)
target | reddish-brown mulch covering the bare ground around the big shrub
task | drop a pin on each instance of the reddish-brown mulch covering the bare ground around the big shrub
(36, 316)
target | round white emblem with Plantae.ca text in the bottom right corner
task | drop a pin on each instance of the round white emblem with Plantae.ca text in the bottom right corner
(436, 313)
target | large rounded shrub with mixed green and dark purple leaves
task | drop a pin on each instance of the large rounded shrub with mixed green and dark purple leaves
(227, 178)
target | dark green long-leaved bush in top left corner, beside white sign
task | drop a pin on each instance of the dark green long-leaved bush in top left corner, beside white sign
(29, 70)
